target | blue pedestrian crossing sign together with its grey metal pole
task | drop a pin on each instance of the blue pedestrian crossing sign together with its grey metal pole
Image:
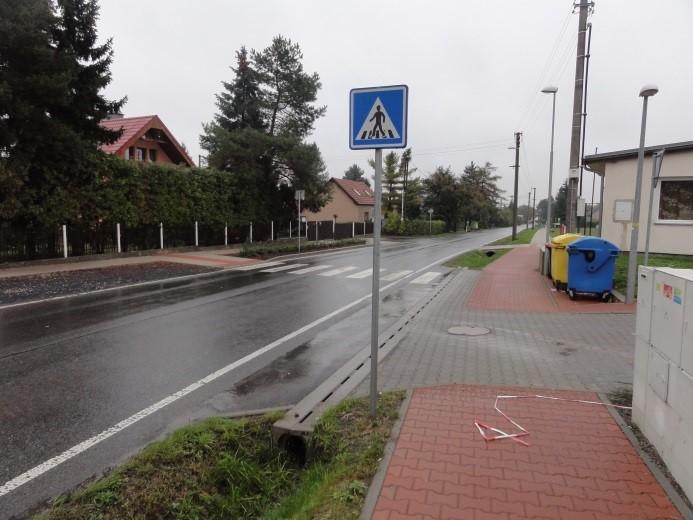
(377, 120)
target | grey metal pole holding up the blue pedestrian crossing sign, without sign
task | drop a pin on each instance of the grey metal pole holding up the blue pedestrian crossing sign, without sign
(375, 294)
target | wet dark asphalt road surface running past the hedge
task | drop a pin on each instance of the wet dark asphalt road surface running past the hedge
(71, 369)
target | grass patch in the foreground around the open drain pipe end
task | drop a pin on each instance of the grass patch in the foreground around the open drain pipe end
(230, 468)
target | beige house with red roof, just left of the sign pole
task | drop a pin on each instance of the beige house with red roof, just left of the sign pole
(352, 201)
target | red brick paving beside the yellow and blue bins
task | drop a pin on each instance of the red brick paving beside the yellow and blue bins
(514, 283)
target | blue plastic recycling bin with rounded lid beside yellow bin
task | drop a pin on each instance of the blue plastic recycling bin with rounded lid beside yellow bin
(591, 264)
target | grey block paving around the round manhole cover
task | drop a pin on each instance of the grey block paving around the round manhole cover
(556, 350)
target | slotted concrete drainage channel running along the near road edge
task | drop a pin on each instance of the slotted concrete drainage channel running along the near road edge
(290, 433)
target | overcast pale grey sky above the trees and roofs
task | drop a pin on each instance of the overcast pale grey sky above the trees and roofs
(474, 70)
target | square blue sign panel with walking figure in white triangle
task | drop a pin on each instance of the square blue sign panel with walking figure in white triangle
(378, 117)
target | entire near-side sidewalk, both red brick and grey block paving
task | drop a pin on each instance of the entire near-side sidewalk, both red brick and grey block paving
(578, 465)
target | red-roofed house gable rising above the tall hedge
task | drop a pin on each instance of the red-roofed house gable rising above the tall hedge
(145, 138)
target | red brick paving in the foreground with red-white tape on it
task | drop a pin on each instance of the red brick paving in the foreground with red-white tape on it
(578, 465)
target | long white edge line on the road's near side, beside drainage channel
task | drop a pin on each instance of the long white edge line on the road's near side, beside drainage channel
(83, 446)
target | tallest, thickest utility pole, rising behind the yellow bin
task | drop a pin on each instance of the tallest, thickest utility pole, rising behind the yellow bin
(575, 141)
